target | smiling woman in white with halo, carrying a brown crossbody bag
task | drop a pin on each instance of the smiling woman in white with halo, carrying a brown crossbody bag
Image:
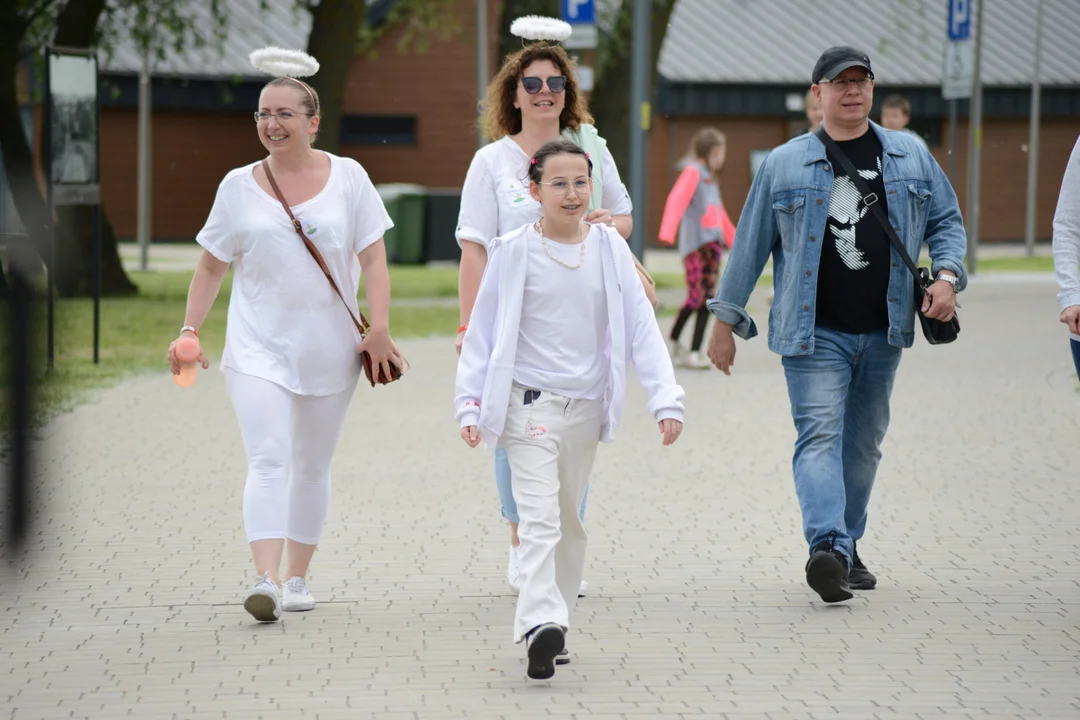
(291, 357)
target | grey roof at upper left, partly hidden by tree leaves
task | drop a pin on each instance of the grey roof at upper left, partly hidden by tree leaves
(283, 24)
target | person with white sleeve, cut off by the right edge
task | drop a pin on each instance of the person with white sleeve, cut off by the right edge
(1066, 246)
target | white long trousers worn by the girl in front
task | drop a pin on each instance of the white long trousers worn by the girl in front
(551, 444)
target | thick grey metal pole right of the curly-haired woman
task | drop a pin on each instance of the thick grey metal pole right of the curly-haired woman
(641, 112)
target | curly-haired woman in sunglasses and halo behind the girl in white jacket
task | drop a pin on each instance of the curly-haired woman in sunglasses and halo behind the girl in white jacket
(534, 99)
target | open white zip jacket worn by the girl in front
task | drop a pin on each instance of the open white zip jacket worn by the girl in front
(490, 349)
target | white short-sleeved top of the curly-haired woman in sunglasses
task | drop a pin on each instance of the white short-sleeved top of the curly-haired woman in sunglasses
(496, 200)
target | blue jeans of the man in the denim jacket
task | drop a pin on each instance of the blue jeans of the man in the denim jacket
(841, 406)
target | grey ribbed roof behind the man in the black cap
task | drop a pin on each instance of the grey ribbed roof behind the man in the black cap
(779, 42)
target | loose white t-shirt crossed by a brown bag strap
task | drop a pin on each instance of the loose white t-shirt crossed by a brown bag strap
(286, 322)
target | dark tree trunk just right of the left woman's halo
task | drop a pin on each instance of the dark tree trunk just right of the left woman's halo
(335, 25)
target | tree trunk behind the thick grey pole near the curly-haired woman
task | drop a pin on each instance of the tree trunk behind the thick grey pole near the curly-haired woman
(611, 100)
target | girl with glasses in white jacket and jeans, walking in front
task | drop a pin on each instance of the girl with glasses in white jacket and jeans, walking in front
(559, 318)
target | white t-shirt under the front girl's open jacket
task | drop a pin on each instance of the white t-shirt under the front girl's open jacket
(563, 339)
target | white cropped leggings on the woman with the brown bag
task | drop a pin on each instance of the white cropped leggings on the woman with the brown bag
(290, 441)
